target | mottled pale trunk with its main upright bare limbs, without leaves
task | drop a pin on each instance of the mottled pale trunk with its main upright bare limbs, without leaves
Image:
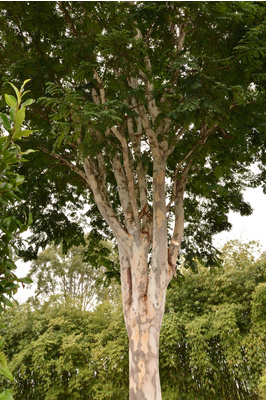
(146, 266)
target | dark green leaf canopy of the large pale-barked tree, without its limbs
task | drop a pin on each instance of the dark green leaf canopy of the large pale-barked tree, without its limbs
(217, 79)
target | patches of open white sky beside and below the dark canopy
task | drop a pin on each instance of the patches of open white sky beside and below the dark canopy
(245, 229)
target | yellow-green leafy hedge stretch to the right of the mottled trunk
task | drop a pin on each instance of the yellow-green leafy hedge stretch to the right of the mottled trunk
(214, 330)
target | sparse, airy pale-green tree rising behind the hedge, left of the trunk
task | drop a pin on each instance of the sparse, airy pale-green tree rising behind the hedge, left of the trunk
(80, 275)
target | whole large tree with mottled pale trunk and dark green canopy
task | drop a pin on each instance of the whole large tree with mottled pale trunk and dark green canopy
(157, 112)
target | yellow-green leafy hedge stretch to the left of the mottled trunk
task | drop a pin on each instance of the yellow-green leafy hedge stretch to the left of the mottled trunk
(61, 352)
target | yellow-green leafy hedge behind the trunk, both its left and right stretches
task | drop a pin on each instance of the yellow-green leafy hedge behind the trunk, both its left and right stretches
(212, 340)
